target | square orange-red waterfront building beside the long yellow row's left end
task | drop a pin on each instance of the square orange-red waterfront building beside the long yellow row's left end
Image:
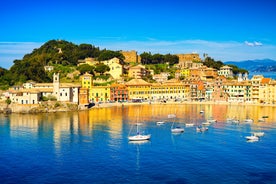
(118, 93)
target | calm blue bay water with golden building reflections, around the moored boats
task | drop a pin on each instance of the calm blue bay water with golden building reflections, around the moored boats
(92, 146)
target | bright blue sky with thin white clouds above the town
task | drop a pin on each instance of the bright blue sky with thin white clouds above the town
(227, 30)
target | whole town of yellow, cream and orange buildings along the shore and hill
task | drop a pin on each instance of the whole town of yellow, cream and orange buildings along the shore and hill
(192, 82)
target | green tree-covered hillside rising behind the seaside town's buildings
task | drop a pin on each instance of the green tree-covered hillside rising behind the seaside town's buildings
(64, 56)
